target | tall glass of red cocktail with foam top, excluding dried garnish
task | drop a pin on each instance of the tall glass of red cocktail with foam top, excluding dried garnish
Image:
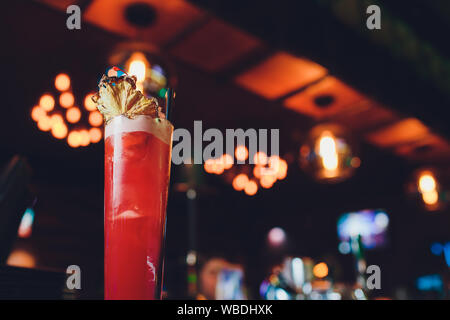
(137, 170)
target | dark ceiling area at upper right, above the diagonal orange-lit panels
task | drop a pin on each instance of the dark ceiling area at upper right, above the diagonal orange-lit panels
(333, 33)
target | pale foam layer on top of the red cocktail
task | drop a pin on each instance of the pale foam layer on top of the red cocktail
(161, 128)
